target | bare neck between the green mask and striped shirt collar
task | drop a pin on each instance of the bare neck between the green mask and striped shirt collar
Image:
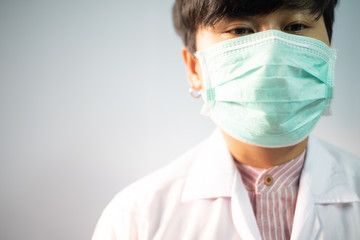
(262, 157)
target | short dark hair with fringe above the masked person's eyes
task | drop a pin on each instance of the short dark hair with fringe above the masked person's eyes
(189, 15)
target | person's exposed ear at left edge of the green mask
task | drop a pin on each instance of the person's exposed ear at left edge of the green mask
(193, 70)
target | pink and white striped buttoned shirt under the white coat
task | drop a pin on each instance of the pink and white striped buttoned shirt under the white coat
(273, 193)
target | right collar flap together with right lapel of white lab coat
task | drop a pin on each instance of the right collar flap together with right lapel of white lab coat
(321, 182)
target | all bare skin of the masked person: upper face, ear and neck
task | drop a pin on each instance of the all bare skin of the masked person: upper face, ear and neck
(290, 21)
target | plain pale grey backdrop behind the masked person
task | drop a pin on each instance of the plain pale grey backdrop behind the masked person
(93, 96)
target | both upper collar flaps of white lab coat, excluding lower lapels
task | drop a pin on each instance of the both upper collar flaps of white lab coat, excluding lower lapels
(213, 172)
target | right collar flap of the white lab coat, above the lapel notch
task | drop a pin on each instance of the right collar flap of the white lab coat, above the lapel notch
(325, 177)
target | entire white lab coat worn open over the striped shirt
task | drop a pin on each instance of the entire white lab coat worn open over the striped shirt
(201, 197)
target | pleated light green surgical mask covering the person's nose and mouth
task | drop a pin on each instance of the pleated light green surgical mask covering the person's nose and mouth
(267, 89)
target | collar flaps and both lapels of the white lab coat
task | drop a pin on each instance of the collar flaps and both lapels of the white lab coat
(323, 181)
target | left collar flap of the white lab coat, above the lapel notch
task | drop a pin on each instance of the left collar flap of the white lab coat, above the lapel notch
(213, 171)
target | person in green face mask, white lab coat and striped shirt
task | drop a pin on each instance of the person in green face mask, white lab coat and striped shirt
(265, 71)
